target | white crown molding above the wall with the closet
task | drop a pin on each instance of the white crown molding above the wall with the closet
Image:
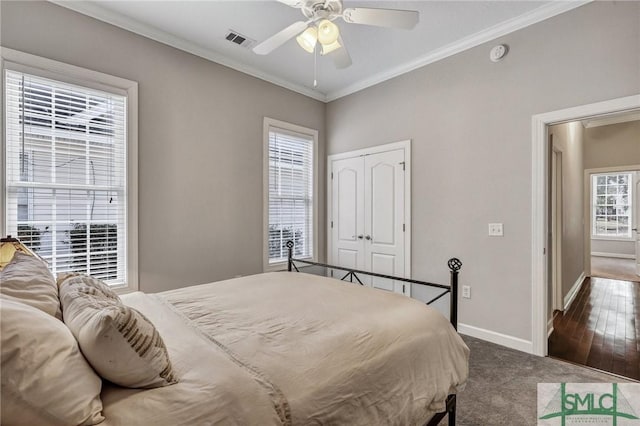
(539, 14)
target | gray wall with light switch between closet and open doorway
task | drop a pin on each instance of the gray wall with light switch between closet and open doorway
(470, 122)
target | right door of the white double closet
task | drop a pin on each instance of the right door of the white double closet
(384, 203)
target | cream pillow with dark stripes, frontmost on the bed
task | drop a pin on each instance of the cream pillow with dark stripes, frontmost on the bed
(119, 342)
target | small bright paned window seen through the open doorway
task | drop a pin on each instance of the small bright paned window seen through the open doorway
(611, 205)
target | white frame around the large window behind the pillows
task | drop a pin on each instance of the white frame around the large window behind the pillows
(31, 64)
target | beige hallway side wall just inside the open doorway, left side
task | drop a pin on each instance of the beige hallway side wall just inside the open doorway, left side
(569, 138)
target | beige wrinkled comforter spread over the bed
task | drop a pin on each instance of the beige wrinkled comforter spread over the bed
(292, 348)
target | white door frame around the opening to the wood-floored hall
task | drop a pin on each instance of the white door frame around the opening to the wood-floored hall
(539, 200)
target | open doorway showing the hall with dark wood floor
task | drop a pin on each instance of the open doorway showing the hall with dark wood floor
(593, 281)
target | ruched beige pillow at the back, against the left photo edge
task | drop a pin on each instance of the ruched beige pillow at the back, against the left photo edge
(27, 279)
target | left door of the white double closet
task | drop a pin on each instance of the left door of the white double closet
(348, 213)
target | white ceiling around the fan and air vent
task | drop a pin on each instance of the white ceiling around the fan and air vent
(199, 27)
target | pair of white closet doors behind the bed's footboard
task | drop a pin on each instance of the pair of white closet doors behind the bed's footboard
(368, 203)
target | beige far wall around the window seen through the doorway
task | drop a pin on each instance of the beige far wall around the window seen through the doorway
(614, 145)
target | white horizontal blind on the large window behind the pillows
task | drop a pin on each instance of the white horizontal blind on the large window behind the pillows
(66, 174)
